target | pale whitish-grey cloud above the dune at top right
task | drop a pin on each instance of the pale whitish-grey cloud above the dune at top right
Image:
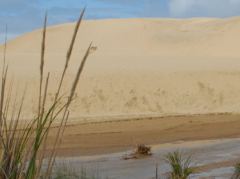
(216, 8)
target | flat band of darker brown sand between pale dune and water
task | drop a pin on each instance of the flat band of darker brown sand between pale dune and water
(115, 136)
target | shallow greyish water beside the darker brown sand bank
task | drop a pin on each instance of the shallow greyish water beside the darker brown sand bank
(210, 158)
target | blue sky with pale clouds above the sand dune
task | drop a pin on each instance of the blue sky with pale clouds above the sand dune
(26, 15)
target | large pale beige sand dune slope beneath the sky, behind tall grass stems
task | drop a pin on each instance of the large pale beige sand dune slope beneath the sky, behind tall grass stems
(140, 66)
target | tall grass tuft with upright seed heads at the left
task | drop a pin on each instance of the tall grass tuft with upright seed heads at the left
(23, 145)
